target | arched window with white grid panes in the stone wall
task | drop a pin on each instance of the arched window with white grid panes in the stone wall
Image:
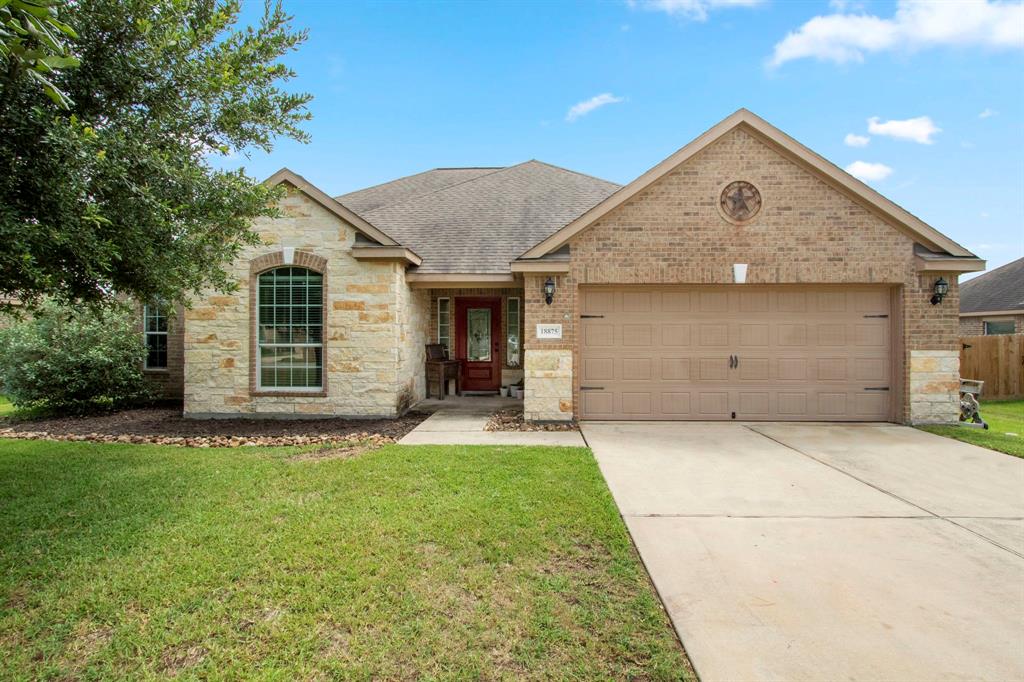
(290, 356)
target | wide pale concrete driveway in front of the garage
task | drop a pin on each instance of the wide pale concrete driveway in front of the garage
(825, 551)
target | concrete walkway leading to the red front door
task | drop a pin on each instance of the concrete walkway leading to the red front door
(460, 421)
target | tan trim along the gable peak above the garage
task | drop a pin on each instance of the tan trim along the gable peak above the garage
(831, 174)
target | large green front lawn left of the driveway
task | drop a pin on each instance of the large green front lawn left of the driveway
(145, 562)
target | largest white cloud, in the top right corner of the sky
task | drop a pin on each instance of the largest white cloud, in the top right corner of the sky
(917, 25)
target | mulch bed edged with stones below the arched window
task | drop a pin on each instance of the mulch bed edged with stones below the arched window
(166, 428)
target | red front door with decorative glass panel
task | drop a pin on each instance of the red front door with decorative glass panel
(478, 332)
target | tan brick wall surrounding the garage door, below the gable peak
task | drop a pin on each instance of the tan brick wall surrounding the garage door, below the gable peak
(807, 232)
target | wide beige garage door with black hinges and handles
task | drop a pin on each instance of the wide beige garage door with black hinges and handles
(745, 353)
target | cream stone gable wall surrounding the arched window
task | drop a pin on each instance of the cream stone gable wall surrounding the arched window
(371, 329)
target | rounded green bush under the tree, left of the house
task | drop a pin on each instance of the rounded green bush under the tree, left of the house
(74, 359)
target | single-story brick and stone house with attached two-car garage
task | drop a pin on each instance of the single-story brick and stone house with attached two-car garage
(743, 278)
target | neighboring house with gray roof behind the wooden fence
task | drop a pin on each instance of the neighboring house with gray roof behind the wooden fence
(994, 303)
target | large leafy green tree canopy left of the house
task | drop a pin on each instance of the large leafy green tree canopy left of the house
(115, 194)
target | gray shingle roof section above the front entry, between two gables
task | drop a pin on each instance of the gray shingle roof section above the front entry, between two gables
(478, 221)
